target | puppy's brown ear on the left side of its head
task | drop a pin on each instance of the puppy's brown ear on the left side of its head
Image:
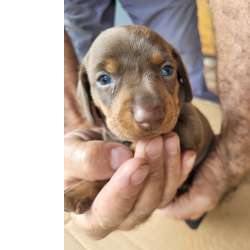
(84, 96)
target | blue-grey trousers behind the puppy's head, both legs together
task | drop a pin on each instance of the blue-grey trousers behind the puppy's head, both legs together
(175, 20)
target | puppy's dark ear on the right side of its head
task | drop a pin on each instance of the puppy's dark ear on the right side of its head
(185, 86)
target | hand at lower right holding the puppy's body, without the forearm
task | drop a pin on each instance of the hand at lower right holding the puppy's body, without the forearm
(213, 181)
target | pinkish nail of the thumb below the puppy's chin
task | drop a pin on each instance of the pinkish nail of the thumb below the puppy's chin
(118, 156)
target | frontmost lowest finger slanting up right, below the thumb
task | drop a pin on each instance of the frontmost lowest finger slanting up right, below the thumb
(106, 215)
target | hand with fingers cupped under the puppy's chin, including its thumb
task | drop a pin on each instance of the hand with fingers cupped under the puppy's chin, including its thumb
(136, 189)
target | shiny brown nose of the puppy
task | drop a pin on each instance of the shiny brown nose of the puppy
(148, 117)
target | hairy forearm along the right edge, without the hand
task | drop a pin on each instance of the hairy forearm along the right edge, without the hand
(233, 48)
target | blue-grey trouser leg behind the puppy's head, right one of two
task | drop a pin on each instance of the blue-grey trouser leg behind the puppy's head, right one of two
(176, 21)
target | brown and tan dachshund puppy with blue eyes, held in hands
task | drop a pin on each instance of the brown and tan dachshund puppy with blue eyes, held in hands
(133, 84)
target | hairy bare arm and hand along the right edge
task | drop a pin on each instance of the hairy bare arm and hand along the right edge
(229, 161)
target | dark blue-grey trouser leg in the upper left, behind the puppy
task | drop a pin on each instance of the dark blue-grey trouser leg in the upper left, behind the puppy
(85, 19)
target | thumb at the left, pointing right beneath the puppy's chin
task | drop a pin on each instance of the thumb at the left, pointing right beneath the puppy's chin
(92, 160)
